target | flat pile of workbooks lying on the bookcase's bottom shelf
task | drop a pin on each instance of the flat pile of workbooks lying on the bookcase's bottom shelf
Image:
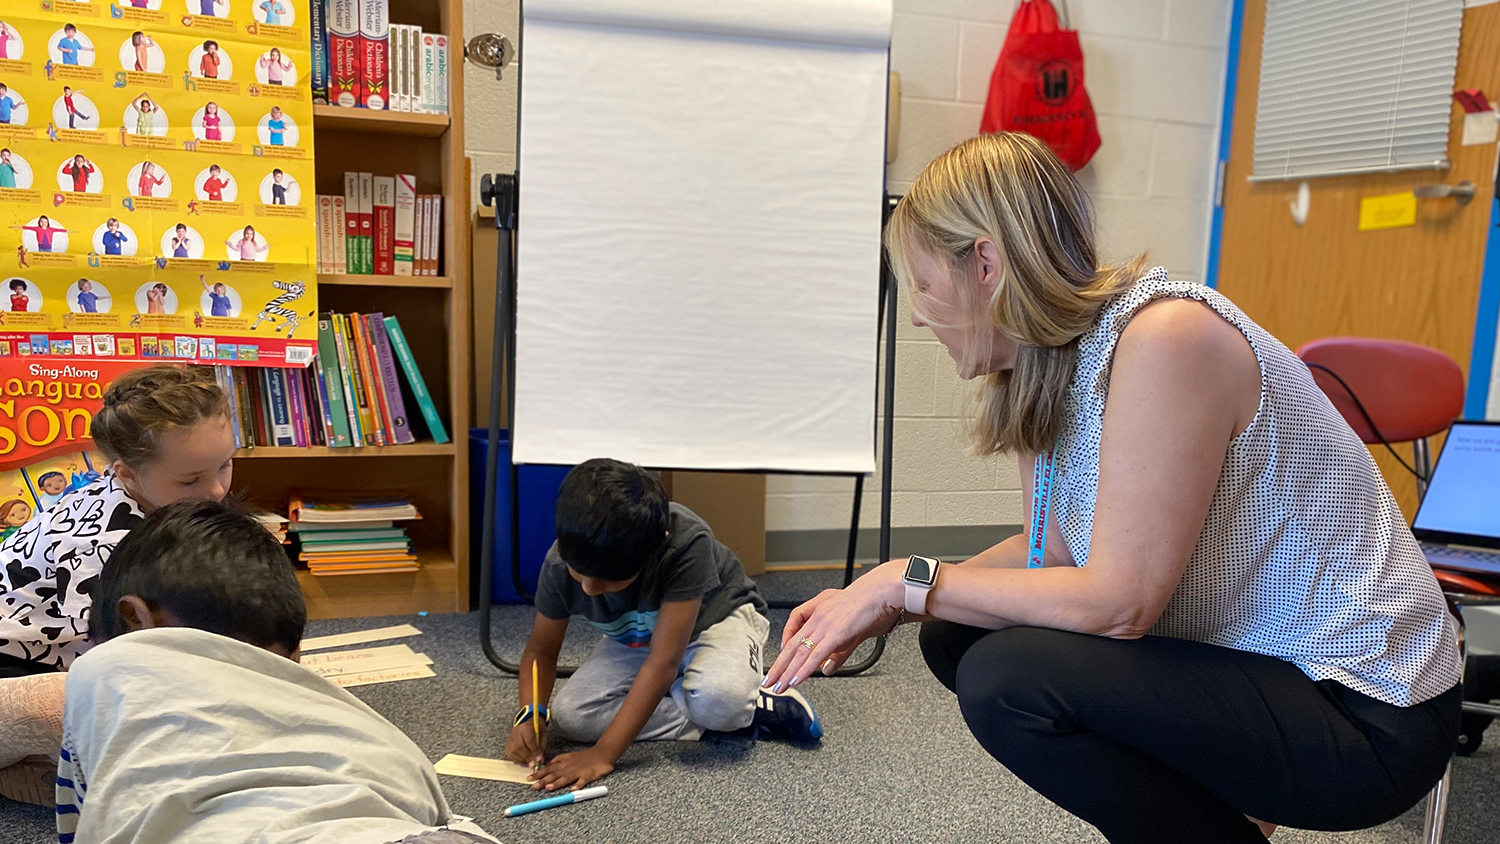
(353, 534)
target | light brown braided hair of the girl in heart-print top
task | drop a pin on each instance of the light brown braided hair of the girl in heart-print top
(145, 404)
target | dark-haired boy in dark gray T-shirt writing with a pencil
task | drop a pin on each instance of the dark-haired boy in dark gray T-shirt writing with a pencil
(683, 624)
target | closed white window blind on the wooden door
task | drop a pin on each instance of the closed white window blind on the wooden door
(1355, 86)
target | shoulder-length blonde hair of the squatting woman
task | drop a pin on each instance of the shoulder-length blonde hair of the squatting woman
(1010, 188)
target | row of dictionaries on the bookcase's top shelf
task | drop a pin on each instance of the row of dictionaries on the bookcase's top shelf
(364, 61)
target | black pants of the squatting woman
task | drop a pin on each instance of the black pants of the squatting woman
(1169, 741)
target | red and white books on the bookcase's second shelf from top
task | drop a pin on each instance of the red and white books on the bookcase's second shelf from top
(380, 227)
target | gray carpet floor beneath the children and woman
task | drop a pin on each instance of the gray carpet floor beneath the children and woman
(896, 765)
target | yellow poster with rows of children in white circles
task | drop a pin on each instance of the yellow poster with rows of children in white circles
(157, 181)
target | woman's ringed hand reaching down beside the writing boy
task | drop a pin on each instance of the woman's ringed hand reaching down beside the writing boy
(824, 632)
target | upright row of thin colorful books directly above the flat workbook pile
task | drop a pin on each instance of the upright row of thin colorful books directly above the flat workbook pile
(358, 392)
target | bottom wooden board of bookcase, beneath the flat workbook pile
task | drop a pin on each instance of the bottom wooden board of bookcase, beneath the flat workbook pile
(404, 593)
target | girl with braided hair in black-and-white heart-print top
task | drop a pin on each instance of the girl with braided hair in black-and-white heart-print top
(166, 434)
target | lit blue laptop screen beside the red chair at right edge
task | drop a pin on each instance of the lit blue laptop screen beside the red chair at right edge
(1463, 498)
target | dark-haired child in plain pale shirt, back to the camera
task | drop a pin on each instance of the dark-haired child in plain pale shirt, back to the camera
(191, 720)
